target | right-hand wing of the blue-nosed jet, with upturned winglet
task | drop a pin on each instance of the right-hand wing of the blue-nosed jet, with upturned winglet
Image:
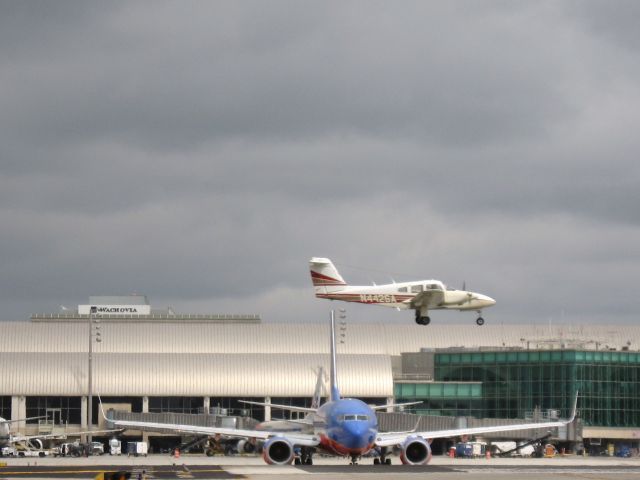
(389, 439)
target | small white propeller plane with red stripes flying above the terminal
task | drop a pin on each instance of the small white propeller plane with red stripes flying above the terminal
(421, 296)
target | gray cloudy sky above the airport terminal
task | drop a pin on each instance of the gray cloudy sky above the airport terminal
(201, 152)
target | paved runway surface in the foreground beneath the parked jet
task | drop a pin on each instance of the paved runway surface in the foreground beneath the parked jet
(162, 467)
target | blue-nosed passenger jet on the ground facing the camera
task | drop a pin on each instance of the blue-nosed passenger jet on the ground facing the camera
(345, 427)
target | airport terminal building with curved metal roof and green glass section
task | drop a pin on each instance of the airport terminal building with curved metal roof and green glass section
(144, 360)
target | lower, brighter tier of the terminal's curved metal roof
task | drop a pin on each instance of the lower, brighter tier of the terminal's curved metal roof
(156, 374)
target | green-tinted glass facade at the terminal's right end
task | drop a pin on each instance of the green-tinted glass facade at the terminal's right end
(514, 383)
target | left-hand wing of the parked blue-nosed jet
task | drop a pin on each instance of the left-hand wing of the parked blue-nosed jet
(296, 438)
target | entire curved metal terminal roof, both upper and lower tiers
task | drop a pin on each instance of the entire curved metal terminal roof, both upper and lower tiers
(269, 359)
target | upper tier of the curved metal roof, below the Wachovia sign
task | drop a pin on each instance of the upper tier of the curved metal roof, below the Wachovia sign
(300, 338)
